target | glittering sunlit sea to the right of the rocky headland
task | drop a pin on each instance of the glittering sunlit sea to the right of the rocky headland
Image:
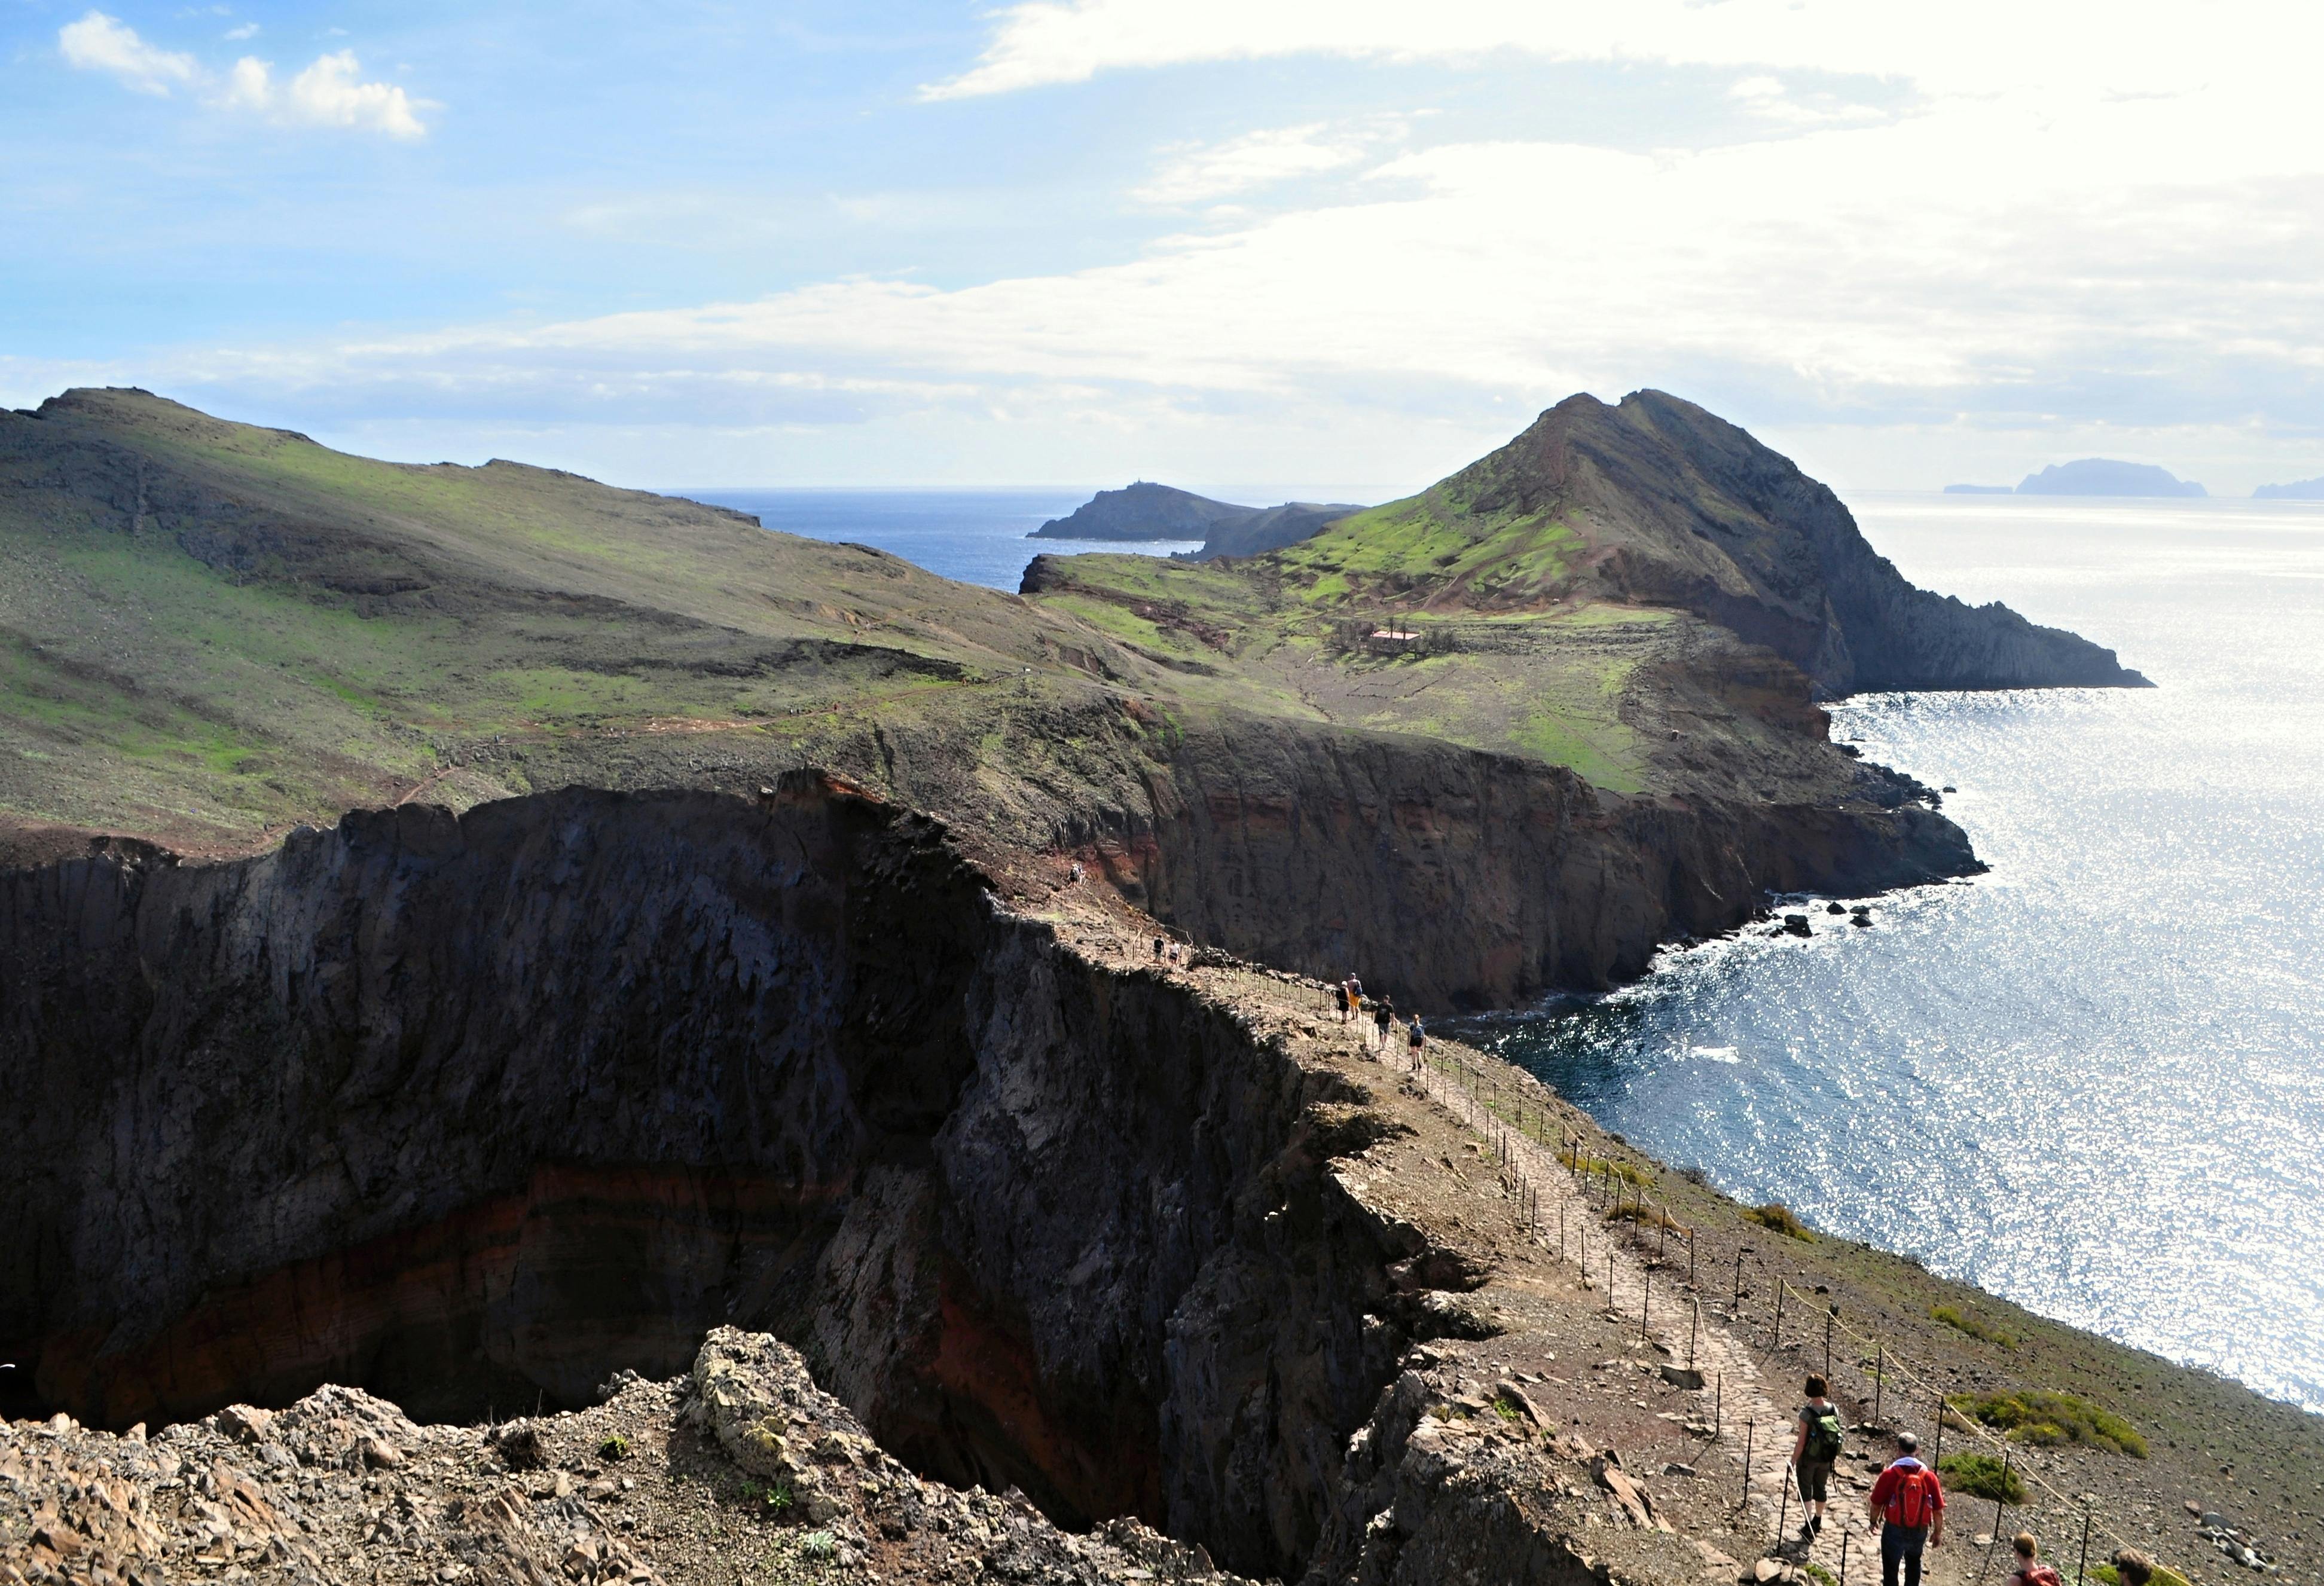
(2095, 1079)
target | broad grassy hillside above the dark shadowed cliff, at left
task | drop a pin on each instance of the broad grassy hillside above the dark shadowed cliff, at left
(213, 630)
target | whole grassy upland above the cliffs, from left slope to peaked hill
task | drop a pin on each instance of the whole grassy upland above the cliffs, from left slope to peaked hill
(210, 633)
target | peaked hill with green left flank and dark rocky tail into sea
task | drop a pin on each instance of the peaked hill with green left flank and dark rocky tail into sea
(1658, 503)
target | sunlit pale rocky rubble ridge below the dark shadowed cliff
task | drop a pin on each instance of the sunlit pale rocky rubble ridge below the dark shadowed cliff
(666, 1483)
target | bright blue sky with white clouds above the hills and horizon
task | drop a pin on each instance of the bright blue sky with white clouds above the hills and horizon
(1263, 247)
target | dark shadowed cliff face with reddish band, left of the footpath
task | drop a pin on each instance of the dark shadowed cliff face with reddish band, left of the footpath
(478, 1111)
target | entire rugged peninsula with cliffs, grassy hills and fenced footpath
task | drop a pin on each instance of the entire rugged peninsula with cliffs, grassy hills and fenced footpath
(489, 956)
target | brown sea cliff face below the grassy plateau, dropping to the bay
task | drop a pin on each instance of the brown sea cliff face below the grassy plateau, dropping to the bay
(1477, 881)
